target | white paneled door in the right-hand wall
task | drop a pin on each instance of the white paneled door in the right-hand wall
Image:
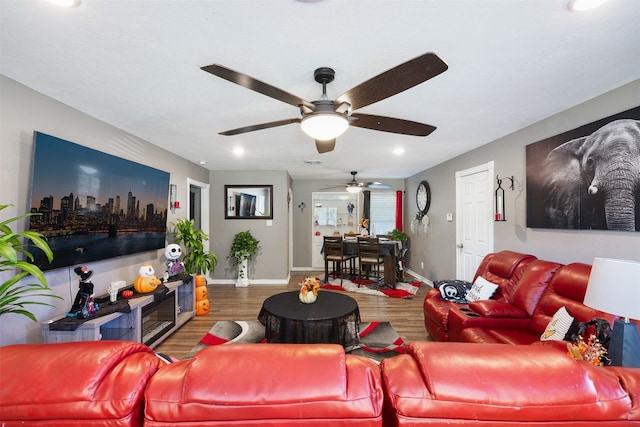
(474, 210)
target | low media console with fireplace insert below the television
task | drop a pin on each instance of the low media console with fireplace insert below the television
(133, 326)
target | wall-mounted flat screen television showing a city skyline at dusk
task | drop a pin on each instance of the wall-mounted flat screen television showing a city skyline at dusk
(92, 205)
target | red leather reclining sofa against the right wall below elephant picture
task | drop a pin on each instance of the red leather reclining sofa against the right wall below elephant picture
(530, 292)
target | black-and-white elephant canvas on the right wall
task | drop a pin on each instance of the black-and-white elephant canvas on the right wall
(587, 178)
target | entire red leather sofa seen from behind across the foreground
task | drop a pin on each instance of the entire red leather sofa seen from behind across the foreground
(115, 383)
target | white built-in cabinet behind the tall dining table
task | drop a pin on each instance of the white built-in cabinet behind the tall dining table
(334, 213)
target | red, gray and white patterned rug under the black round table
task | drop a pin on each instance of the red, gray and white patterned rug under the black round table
(378, 340)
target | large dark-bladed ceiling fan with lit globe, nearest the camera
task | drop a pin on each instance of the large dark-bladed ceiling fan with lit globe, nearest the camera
(325, 119)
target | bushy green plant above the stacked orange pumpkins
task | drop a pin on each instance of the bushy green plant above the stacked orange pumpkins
(196, 260)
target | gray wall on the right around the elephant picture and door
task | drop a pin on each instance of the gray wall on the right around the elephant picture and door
(438, 250)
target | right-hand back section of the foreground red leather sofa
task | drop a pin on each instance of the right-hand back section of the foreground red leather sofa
(440, 381)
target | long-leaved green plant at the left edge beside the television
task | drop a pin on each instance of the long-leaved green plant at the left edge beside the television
(14, 296)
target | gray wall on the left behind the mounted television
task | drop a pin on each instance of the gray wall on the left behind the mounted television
(23, 111)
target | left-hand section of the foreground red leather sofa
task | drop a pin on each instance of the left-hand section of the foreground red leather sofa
(96, 383)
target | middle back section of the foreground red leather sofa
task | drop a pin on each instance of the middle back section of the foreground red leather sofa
(257, 384)
